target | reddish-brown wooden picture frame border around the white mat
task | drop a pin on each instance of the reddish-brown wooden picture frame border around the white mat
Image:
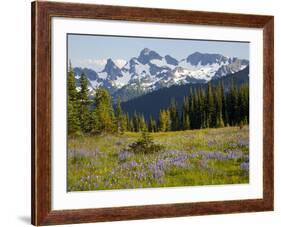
(42, 12)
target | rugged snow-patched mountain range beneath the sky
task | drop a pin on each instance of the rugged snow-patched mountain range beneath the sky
(151, 71)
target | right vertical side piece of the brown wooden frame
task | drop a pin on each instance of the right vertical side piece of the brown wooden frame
(268, 113)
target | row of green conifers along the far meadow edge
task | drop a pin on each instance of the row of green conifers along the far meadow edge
(202, 108)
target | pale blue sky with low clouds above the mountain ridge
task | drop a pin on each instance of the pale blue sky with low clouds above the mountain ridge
(92, 51)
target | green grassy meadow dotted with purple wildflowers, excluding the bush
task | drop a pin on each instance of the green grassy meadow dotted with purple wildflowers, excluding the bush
(193, 157)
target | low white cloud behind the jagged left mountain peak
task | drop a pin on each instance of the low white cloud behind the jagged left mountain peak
(98, 64)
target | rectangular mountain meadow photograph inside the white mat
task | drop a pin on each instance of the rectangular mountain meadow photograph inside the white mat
(151, 112)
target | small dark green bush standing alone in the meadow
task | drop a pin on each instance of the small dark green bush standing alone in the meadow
(145, 145)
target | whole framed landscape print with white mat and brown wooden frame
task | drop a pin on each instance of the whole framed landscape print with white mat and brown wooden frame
(148, 113)
